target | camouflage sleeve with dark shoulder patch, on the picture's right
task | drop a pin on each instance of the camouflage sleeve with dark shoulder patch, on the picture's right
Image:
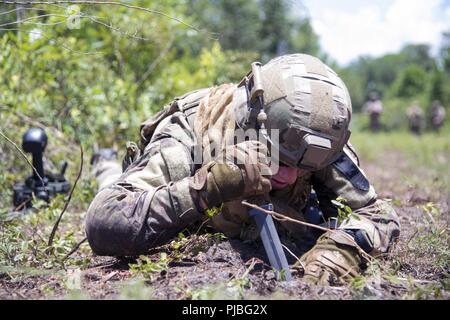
(375, 225)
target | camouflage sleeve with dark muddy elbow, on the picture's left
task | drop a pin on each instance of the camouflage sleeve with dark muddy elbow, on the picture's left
(149, 204)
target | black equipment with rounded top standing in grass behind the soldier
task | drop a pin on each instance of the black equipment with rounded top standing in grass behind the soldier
(43, 185)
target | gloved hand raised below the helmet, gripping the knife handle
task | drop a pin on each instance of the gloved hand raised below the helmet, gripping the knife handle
(244, 173)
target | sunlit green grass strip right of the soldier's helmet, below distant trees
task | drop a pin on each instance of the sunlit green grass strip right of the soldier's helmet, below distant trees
(420, 161)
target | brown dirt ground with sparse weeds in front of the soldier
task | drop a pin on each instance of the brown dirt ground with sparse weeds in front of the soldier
(209, 267)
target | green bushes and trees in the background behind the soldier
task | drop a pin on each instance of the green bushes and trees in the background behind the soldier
(98, 82)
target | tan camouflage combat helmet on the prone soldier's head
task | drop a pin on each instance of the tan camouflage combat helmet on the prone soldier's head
(306, 101)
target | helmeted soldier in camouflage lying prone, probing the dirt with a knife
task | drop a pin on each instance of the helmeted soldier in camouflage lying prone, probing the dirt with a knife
(189, 161)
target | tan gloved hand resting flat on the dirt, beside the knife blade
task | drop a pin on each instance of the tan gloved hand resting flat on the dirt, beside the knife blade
(330, 262)
